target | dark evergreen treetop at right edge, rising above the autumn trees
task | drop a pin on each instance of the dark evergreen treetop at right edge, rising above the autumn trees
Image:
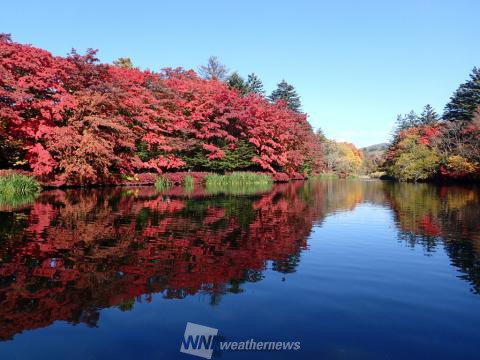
(465, 100)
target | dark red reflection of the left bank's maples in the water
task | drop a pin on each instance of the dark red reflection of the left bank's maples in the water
(81, 250)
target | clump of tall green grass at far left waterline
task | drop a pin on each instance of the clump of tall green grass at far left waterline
(17, 190)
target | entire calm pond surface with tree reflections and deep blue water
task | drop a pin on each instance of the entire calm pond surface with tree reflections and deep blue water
(351, 269)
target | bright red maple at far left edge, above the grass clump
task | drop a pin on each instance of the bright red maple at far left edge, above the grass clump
(34, 98)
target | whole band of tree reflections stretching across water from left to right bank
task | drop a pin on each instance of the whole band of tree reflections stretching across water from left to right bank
(75, 252)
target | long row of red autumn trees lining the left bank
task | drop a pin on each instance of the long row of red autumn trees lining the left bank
(74, 120)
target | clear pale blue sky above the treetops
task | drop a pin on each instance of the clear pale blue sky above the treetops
(356, 64)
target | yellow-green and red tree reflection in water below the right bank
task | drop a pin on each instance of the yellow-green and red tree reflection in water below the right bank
(448, 216)
